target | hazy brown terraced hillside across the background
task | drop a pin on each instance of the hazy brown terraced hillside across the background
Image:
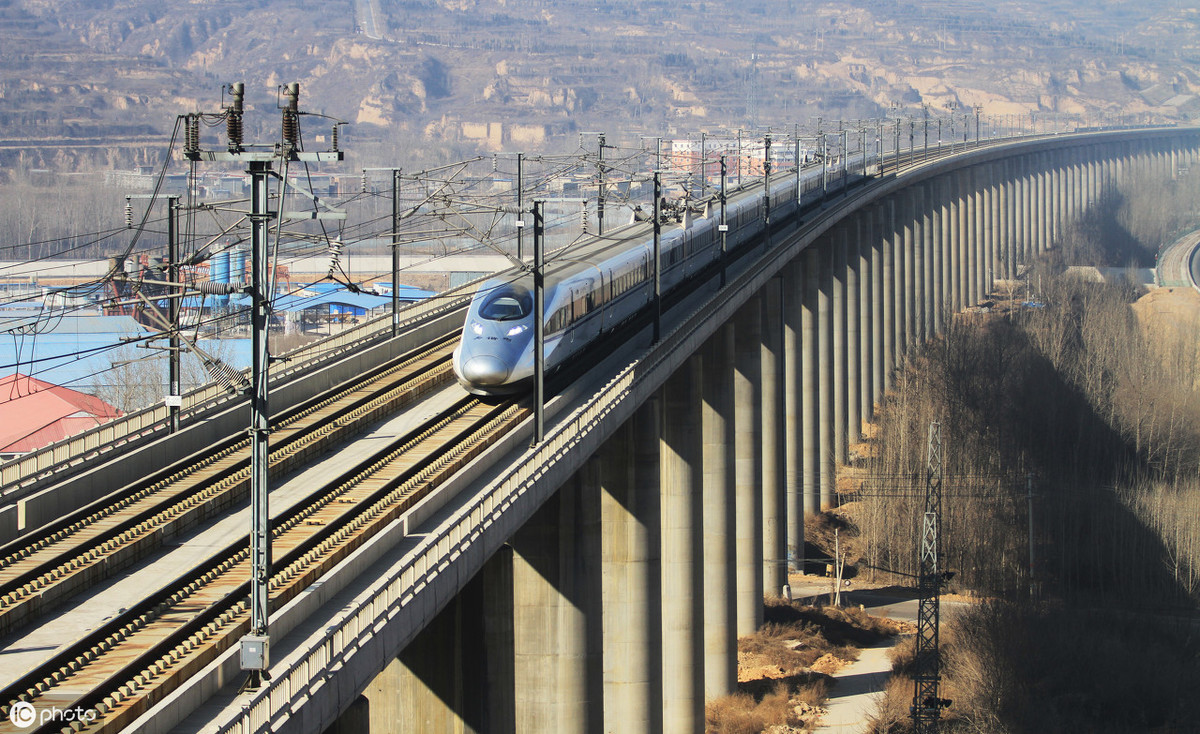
(79, 75)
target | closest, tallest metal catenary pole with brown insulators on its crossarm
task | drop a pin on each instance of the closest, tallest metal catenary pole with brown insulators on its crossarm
(255, 647)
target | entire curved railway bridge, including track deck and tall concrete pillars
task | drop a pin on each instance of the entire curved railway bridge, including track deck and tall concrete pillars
(593, 582)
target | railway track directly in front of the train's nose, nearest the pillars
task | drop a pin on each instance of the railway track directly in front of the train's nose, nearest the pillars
(119, 671)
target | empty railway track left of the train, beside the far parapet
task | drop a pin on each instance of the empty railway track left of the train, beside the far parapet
(80, 552)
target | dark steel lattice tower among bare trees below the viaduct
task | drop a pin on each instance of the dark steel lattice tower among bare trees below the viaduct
(927, 705)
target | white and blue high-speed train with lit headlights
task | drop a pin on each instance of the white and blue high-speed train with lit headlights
(593, 287)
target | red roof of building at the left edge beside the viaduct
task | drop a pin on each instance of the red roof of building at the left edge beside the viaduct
(35, 414)
